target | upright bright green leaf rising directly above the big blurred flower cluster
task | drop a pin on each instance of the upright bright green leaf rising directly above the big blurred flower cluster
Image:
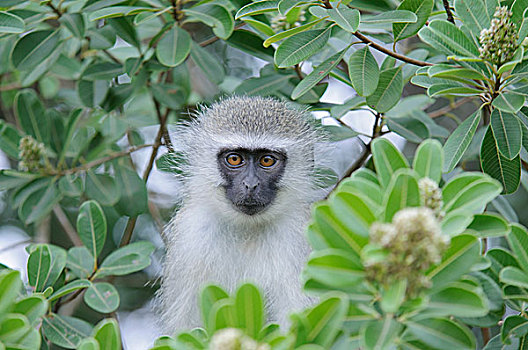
(401, 193)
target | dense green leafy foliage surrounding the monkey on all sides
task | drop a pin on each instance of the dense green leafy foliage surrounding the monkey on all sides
(82, 80)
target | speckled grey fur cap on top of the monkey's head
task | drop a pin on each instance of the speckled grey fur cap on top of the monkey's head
(255, 116)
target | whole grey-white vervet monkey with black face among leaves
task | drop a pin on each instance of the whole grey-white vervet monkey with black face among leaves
(249, 182)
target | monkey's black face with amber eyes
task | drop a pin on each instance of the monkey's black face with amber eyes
(251, 177)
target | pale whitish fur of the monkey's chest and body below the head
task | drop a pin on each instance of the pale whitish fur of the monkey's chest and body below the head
(203, 249)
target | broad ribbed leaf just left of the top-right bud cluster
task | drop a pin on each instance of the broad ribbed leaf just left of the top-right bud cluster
(448, 38)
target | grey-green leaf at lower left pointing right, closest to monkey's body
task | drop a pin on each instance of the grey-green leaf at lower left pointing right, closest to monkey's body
(128, 259)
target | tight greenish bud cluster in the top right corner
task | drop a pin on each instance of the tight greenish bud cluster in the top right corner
(499, 42)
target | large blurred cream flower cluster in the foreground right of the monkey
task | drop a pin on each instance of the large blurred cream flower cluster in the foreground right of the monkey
(413, 242)
